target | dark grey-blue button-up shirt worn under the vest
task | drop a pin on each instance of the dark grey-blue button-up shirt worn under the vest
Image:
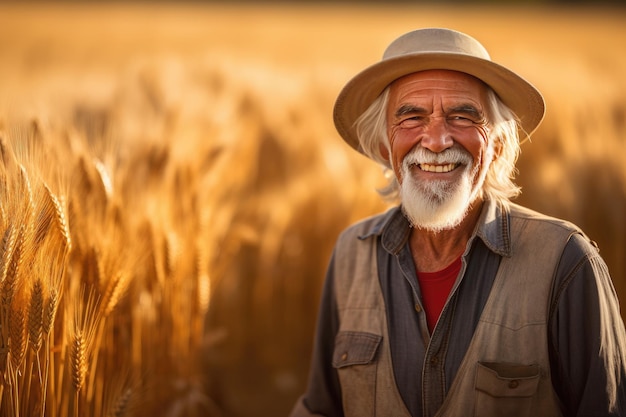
(578, 371)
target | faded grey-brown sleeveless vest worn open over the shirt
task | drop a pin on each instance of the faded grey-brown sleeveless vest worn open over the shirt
(506, 369)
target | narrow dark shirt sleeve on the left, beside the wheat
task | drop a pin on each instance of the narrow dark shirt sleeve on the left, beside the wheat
(323, 394)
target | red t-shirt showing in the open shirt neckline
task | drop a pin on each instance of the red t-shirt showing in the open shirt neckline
(436, 287)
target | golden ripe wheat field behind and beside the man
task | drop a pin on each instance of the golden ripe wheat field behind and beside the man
(172, 185)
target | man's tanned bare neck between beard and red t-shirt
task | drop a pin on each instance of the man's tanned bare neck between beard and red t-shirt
(433, 251)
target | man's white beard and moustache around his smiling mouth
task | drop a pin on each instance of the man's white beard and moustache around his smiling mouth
(438, 205)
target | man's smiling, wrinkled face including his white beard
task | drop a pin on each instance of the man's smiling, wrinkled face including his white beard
(440, 149)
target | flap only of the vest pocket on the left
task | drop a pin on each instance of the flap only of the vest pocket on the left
(355, 348)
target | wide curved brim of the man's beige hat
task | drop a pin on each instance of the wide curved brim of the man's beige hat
(359, 93)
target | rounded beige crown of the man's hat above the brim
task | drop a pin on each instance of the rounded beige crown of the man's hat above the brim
(435, 40)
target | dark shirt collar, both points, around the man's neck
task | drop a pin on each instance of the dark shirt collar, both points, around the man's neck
(492, 228)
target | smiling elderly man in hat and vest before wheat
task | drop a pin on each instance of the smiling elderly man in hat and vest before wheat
(458, 302)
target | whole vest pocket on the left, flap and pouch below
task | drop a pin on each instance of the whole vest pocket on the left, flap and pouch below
(354, 358)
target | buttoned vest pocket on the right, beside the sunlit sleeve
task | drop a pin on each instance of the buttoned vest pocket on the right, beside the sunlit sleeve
(505, 389)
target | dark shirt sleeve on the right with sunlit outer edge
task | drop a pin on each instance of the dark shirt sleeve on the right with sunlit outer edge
(587, 337)
